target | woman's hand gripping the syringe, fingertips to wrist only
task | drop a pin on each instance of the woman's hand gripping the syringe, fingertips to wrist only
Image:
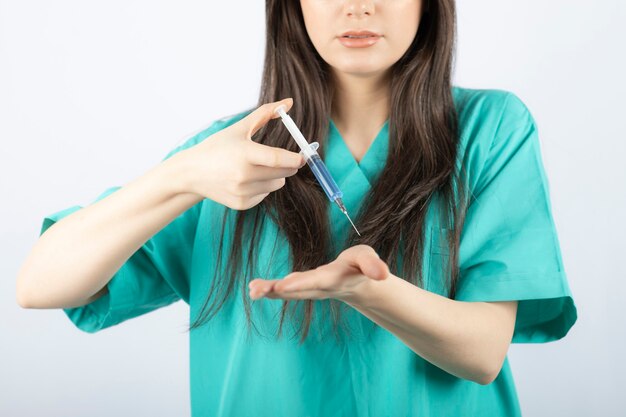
(230, 168)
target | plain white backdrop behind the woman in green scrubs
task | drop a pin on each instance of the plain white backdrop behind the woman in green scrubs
(93, 94)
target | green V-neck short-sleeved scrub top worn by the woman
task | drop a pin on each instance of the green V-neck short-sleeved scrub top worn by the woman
(509, 251)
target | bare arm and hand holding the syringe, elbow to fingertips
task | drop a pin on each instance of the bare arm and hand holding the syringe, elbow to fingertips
(228, 167)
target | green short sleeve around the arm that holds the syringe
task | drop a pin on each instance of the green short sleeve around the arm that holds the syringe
(156, 275)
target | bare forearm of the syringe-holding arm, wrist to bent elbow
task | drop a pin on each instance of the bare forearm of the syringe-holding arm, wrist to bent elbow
(77, 256)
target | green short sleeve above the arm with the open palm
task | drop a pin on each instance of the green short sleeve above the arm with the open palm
(509, 245)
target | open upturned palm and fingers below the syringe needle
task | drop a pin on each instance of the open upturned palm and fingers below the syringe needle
(344, 279)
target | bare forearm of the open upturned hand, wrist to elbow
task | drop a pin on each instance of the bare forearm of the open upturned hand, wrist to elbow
(466, 339)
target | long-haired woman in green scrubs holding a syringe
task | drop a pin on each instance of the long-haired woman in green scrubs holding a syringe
(458, 256)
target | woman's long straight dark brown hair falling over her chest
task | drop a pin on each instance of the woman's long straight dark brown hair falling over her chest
(423, 139)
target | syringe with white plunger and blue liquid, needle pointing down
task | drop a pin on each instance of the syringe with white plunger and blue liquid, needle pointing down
(309, 152)
